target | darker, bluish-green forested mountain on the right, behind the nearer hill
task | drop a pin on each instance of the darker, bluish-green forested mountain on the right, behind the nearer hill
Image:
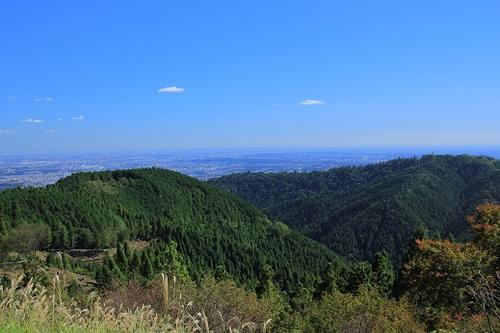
(358, 211)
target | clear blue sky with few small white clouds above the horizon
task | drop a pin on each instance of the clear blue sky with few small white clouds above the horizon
(87, 75)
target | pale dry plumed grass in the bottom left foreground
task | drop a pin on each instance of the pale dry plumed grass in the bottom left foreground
(32, 308)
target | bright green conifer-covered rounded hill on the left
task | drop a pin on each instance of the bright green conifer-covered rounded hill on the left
(213, 230)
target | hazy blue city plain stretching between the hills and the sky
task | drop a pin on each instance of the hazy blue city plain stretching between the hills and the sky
(42, 169)
